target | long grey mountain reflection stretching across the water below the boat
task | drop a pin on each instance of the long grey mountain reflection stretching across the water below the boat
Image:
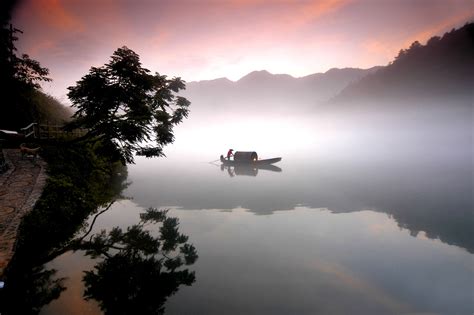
(423, 191)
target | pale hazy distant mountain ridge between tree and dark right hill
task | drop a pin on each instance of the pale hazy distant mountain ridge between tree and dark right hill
(261, 91)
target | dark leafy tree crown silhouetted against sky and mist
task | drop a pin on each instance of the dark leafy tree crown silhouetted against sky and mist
(124, 103)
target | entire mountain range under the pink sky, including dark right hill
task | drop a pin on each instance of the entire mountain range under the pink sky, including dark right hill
(441, 69)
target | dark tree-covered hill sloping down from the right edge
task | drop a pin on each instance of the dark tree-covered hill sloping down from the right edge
(441, 69)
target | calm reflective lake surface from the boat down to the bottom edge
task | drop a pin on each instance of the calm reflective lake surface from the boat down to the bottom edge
(367, 231)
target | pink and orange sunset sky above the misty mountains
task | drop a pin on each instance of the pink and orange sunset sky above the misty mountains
(208, 39)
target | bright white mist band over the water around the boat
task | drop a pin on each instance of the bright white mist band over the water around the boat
(405, 161)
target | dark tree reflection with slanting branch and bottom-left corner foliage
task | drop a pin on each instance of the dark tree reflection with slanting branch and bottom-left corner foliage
(139, 270)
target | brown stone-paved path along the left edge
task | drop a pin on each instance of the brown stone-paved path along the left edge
(20, 187)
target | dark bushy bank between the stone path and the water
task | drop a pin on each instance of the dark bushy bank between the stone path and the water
(80, 183)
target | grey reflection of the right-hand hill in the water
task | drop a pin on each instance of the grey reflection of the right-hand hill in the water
(434, 198)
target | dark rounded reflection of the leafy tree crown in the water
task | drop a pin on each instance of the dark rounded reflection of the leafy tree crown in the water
(139, 271)
